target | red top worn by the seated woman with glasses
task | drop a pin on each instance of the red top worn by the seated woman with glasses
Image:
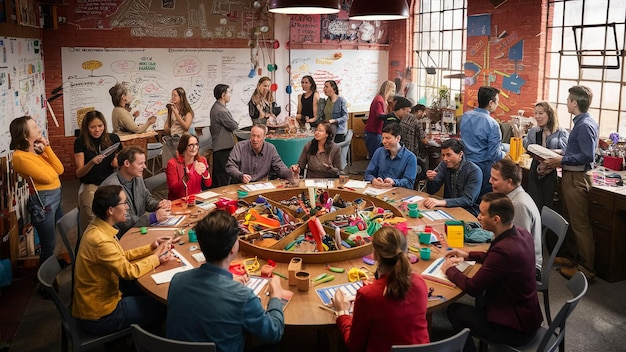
(175, 171)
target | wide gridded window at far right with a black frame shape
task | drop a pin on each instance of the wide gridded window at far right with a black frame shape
(585, 46)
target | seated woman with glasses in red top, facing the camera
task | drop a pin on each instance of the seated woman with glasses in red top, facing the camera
(188, 173)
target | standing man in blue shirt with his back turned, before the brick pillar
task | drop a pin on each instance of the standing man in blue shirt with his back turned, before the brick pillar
(482, 136)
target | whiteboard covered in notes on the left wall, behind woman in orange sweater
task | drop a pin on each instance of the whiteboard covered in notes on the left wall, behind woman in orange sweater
(22, 85)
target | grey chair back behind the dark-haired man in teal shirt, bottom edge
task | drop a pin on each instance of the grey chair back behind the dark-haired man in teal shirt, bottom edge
(148, 342)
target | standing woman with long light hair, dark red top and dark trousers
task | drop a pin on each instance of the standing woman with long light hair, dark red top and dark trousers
(374, 125)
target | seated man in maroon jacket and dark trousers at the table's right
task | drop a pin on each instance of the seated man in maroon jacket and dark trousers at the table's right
(509, 312)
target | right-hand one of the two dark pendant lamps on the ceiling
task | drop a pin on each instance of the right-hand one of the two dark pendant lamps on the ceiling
(374, 10)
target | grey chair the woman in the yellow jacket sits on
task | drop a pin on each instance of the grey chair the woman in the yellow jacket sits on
(80, 340)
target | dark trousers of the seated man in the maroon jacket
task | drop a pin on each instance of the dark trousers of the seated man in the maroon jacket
(464, 316)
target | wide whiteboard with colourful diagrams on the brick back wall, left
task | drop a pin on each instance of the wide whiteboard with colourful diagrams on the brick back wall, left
(89, 73)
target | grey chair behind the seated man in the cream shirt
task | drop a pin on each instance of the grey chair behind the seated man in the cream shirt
(550, 220)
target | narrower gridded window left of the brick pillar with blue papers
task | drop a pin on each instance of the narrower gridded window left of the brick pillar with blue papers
(439, 41)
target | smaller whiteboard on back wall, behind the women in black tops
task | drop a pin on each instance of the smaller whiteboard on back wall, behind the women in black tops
(358, 73)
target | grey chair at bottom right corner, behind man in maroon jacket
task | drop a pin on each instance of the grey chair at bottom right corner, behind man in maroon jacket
(552, 337)
